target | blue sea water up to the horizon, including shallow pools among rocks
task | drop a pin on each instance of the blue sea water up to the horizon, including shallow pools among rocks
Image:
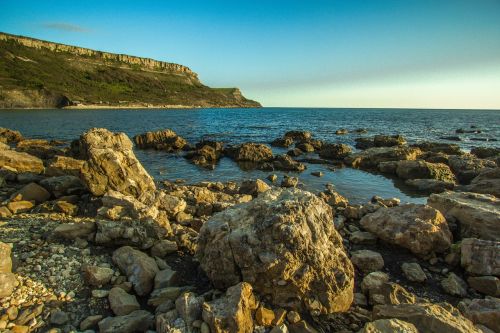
(263, 125)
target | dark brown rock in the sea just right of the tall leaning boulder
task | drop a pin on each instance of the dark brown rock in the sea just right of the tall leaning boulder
(166, 140)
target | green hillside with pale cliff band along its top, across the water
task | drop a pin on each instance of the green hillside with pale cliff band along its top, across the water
(38, 74)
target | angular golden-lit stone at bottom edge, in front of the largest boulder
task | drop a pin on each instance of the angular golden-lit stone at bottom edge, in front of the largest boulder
(232, 312)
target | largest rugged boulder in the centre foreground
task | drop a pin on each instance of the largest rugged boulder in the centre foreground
(284, 244)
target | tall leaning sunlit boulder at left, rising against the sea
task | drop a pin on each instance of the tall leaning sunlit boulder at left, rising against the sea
(112, 165)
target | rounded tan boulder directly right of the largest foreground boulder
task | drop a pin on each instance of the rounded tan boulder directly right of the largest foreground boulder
(419, 228)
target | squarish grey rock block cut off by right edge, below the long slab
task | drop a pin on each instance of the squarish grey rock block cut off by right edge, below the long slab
(480, 257)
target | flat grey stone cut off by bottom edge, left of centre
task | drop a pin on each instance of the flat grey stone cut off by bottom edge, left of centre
(137, 321)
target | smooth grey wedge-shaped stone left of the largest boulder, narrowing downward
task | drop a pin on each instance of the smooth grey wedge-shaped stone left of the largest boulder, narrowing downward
(139, 268)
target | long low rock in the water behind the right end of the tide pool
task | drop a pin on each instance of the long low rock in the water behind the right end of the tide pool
(372, 157)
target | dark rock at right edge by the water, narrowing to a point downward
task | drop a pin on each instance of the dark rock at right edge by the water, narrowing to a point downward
(467, 167)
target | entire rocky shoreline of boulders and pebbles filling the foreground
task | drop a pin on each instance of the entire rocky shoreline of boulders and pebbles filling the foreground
(89, 241)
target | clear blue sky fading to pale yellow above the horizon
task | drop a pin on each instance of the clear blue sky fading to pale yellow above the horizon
(314, 53)
